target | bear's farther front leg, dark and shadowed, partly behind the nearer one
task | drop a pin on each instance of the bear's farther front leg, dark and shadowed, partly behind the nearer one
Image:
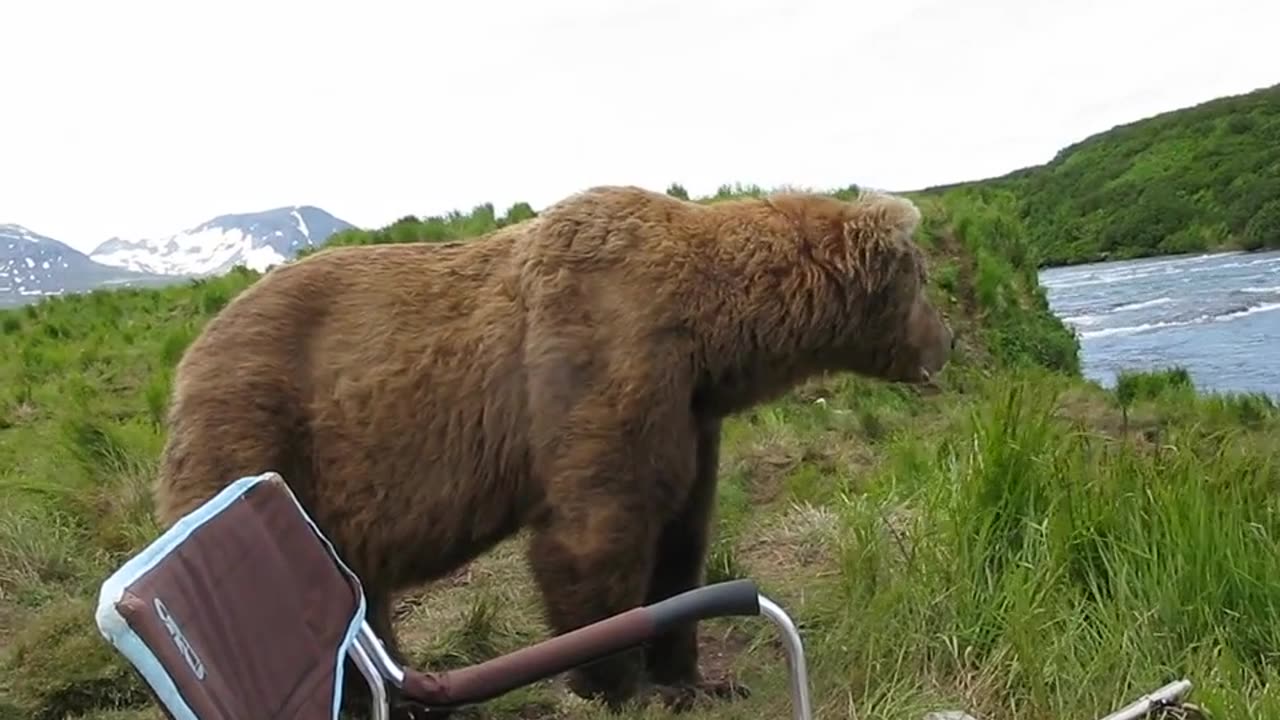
(671, 660)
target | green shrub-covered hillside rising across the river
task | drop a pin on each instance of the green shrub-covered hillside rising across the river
(1197, 179)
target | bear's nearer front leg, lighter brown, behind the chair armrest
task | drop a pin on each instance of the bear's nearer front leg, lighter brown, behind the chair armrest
(596, 534)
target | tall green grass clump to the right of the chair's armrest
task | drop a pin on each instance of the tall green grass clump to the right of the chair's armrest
(1048, 572)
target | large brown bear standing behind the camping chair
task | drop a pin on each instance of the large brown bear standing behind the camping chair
(568, 375)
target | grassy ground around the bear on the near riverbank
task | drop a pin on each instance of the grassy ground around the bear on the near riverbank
(1017, 546)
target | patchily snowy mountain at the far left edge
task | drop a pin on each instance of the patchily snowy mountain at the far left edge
(34, 266)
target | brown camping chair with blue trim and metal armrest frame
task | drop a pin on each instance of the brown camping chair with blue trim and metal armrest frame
(244, 610)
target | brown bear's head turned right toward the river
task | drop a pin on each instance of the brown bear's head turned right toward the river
(890, 327)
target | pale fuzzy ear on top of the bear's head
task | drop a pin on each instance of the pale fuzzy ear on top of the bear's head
(877, 234)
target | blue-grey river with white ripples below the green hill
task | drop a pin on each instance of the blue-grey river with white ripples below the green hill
(1217, 315)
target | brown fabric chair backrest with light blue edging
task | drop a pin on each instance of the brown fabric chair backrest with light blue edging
(241, 610)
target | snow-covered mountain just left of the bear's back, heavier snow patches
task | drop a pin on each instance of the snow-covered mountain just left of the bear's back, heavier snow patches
(255, 240)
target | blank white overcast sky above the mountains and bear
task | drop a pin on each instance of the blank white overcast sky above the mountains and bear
(144, 119)
